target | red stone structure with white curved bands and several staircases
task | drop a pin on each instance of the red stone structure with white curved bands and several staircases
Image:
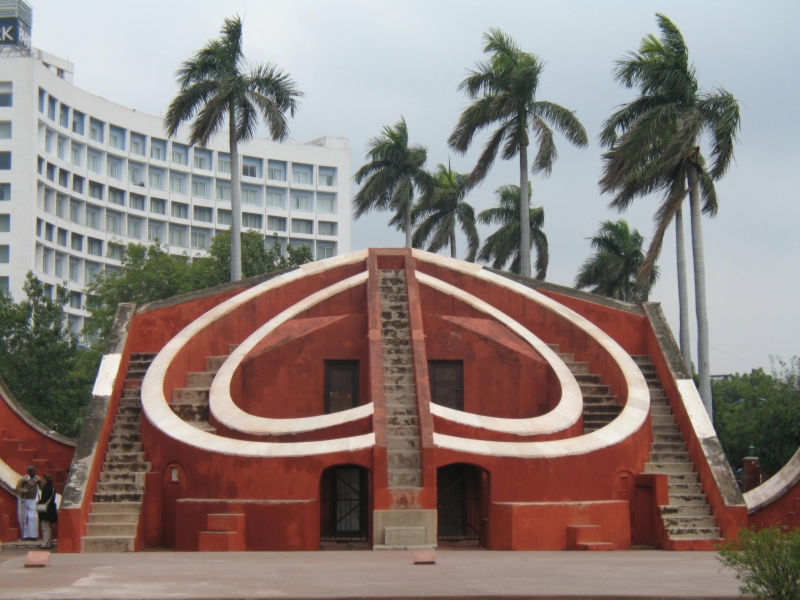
(399, 399)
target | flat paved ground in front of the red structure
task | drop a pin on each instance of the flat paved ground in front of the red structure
(385, 575)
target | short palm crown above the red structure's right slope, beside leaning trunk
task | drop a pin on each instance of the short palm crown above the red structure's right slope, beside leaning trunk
(613, 269)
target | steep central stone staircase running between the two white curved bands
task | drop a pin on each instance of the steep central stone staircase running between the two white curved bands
(402, 420)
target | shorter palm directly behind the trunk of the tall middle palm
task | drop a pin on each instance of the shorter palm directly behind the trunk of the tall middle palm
(502, 246)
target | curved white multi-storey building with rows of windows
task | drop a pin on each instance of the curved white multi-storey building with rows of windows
(81, 176)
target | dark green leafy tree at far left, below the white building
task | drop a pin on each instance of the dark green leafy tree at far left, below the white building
(40, 360)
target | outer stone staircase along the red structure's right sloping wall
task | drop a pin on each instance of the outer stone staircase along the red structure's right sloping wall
(688, 516)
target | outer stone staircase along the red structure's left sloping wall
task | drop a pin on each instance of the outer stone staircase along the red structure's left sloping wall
(114, 514)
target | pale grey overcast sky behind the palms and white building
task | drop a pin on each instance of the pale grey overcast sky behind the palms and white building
(363, 64)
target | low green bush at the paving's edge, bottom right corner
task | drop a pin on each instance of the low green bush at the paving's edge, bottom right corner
(767, 563)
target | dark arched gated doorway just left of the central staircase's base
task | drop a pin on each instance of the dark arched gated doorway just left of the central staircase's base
(345, 505)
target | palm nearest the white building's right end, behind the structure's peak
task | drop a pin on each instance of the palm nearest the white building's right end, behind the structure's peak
(394, 172)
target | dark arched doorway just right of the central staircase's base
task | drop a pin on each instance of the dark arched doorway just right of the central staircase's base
(459, 503)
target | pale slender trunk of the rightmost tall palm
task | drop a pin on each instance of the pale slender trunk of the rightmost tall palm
(703, 368)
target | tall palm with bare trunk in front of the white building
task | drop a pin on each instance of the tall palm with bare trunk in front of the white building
(218, 84)
